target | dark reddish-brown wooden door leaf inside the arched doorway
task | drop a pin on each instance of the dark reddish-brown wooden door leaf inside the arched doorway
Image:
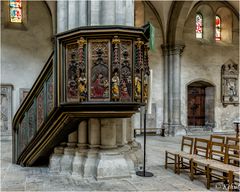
(196, 106)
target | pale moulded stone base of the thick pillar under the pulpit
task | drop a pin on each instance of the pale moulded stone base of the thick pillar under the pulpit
(98, 163)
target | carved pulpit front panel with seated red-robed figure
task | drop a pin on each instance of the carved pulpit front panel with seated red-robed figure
(99, 67)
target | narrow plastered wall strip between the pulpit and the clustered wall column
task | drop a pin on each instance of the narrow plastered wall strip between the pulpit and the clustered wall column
(145, 14)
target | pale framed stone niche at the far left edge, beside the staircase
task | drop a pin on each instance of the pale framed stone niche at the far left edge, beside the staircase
(6, 109)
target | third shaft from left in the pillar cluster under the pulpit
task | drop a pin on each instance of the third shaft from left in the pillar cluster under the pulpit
(94, 132)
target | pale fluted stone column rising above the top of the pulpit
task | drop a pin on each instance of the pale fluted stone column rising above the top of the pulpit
(72, 14)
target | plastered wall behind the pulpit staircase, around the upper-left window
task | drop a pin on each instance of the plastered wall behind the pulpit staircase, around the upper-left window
(25, 51)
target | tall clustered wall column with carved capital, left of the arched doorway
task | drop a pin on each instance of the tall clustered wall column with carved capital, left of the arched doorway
(172, 88)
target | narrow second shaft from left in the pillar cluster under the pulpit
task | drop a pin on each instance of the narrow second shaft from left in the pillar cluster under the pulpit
(82, 134)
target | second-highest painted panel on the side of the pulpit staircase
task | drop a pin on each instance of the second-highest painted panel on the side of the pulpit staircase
(40, 109)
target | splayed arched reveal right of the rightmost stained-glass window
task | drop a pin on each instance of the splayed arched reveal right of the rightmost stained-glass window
(226, 23)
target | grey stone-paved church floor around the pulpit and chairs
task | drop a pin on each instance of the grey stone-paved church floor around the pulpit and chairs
(17, 178)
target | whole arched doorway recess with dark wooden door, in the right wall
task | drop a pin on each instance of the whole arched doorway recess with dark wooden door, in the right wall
(201, 104)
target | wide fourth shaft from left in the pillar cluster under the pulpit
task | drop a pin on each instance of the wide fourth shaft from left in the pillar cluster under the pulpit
(108, 133)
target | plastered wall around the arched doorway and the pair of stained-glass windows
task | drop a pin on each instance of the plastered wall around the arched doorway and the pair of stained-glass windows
(203, 59)
